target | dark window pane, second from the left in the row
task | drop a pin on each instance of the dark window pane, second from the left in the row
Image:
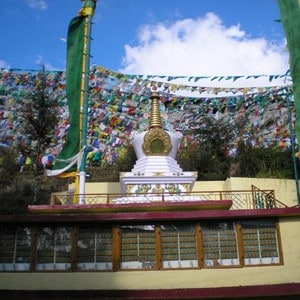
(53, 248)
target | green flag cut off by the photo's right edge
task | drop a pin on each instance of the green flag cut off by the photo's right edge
(290, 17)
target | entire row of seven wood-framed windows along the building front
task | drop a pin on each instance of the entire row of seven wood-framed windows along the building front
(177, 245)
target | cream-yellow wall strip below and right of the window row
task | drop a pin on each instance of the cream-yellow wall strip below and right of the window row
(204, 278)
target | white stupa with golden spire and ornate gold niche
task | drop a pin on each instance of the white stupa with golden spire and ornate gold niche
(156, 170)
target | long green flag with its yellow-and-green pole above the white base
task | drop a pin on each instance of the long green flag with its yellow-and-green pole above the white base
(78, 43)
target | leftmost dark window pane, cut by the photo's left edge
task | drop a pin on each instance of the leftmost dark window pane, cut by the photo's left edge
(15, 249)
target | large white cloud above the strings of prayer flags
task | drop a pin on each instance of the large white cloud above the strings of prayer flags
(203, 46)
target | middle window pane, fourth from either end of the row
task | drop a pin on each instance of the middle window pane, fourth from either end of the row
(138, 247)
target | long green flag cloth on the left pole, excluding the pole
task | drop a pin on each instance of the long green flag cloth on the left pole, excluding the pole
(75, 48)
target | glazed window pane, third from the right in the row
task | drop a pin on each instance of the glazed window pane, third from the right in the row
(179, 246)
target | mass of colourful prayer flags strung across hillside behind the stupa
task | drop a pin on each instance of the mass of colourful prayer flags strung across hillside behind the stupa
(119, 104)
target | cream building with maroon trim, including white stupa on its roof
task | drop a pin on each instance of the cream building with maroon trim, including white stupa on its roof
(157, 234)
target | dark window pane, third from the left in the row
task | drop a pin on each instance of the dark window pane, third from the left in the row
(94, 249)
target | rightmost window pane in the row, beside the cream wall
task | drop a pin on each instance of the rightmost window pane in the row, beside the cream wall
(260, 240)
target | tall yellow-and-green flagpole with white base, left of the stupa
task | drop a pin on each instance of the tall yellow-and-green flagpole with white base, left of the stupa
(87, 11)
